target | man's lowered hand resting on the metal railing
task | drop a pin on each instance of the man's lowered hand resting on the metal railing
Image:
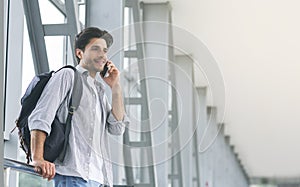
(44, 168)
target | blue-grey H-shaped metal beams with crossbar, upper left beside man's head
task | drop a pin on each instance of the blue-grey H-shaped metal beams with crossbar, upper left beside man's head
(37, 30)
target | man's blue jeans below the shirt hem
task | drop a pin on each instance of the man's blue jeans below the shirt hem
(69, 181)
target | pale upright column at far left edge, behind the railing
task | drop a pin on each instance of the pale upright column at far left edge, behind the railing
(13, 85)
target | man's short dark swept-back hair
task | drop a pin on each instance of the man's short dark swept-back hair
(85, 36)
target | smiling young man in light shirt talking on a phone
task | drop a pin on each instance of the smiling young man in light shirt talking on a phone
(87, 159)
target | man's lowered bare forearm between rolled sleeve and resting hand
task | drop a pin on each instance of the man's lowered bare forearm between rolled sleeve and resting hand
(37, 144)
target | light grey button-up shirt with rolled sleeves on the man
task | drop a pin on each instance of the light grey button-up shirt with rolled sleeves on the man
(54, 101)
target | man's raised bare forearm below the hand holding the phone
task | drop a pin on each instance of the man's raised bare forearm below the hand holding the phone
(117, 103)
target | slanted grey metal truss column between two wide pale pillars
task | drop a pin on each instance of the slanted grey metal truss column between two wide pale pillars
(143, 146)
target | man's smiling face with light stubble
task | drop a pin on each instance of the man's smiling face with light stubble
(95, 56)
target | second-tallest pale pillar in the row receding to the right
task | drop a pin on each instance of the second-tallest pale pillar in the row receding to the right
(184, 85)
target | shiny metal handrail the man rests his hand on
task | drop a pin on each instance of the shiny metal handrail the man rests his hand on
(25, 168)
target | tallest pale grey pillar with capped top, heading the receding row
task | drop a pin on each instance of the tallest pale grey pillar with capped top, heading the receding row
(156, 35)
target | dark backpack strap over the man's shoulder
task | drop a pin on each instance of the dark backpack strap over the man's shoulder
(73, 105)
